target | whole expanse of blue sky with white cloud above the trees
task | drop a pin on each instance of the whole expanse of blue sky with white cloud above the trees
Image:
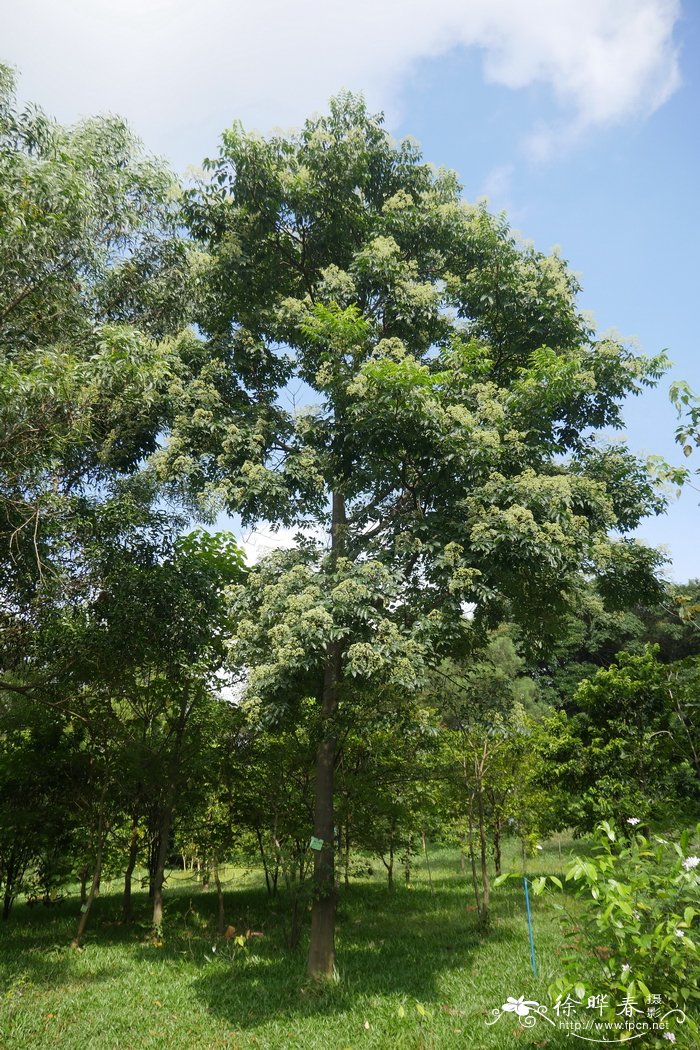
(580, 118)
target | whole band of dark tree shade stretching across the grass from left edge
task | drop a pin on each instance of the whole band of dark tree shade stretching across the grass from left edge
(390, 944)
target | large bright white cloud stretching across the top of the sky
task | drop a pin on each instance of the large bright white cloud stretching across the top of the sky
(182, 72)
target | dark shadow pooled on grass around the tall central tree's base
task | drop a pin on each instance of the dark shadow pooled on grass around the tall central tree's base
(389, 944)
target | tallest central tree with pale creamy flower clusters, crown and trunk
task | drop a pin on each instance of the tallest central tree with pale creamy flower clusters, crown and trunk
(448, 396)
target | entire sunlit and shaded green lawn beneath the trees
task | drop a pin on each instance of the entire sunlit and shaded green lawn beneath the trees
(415, 972)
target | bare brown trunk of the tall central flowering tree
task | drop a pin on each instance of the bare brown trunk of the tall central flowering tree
(323, 943)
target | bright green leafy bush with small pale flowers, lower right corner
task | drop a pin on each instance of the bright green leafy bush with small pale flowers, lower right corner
(639, 901)
